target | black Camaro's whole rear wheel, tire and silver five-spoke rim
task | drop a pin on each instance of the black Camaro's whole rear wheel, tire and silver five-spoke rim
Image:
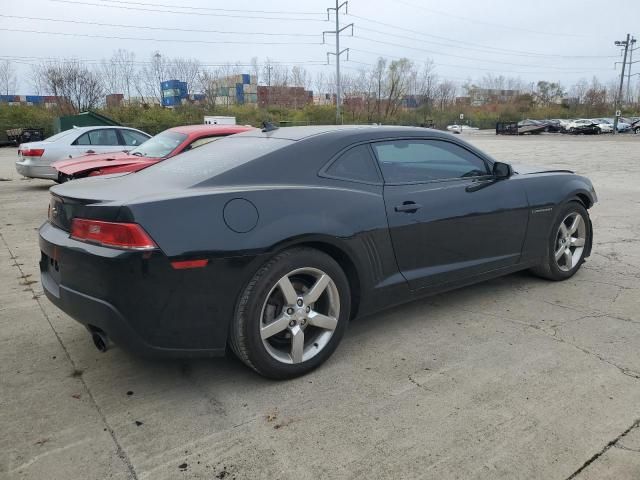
(292, 314)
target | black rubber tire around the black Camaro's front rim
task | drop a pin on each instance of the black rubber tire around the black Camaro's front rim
(550, 269)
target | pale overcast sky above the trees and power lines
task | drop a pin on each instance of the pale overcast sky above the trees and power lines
(556, 40)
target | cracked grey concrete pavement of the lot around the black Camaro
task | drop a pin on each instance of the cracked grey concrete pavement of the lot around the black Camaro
(516, 378)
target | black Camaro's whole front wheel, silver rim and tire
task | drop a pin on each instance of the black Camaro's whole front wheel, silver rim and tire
(570, 236)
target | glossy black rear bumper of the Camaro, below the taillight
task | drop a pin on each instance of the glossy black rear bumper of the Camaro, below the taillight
(138, 300)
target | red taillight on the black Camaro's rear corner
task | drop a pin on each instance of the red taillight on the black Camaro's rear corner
(112, 234)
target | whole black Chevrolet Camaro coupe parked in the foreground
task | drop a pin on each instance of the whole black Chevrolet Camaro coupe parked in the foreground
(270, 242)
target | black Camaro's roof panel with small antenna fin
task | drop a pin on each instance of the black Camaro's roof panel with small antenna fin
(340, 131)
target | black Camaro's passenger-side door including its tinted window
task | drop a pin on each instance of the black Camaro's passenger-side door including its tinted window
(449, 219)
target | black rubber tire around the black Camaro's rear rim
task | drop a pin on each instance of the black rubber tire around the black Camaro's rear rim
(244, 337)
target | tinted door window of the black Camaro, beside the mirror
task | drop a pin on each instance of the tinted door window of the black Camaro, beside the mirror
(405, 161)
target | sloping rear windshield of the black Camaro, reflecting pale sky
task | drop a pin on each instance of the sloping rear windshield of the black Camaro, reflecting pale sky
(218, 157)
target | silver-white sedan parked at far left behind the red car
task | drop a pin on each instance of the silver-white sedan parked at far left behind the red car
(35, 158)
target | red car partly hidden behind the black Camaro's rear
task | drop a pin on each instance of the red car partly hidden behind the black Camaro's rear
(166, 144)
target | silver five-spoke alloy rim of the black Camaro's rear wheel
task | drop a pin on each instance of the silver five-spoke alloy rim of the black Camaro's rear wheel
(299, 315)
